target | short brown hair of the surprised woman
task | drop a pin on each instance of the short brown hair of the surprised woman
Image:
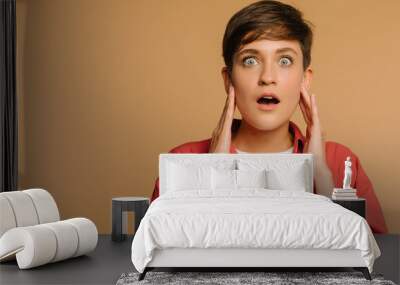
(267, 19)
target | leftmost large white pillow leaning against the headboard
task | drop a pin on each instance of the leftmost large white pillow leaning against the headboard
(187, 177)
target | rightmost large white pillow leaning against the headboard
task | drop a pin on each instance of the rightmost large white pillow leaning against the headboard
(293, 178)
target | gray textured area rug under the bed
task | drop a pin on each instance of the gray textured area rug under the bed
(225, 278)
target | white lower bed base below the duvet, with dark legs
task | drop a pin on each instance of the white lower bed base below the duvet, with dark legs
(248, 259)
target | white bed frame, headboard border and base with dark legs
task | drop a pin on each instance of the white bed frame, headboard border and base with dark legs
(248, 259)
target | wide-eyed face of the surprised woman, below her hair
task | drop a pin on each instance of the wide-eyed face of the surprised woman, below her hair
(266, 66)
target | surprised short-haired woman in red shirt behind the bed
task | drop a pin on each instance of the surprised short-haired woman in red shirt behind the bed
(267, 75)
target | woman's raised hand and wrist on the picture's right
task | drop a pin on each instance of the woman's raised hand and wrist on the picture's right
(315, 143)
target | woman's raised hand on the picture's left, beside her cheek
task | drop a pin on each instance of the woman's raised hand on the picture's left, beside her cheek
(221, 136)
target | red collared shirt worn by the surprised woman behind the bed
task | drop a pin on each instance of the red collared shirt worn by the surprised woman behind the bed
(336, 154)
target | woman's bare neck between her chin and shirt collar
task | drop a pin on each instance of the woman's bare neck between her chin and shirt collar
(250, 139)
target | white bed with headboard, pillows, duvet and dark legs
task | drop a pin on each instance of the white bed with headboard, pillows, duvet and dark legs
(247, 211)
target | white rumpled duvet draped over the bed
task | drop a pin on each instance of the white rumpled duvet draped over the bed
(250, 218)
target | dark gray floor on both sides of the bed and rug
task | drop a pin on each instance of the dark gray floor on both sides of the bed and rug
(111, 259)
